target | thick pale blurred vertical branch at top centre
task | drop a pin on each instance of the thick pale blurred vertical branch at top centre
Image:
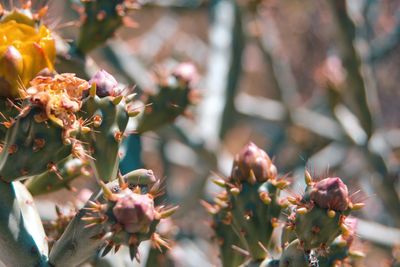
(217, 110)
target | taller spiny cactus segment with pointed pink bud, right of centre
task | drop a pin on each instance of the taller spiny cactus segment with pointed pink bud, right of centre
(252, 202)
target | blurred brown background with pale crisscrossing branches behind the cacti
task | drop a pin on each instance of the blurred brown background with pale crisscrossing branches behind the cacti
(314, 83)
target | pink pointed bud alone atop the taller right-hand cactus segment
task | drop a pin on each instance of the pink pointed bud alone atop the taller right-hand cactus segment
(253, 163)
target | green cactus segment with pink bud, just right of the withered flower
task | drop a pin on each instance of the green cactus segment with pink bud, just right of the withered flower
(109, 111)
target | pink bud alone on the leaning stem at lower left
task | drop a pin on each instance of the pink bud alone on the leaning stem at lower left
(135, 212)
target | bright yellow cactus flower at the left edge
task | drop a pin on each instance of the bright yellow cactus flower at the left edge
(25, 50)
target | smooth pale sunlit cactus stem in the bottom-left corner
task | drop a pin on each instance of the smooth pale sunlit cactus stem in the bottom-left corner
(22, 237)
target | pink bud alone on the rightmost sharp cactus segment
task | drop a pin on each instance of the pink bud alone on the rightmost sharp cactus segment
(330, 193)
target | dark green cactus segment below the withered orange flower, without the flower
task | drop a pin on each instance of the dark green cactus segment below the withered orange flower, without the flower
(31, 148)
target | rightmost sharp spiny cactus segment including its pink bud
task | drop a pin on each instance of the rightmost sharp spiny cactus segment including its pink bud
(319, 217)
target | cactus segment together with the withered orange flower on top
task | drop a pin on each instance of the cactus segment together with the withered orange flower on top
(46, 127)
